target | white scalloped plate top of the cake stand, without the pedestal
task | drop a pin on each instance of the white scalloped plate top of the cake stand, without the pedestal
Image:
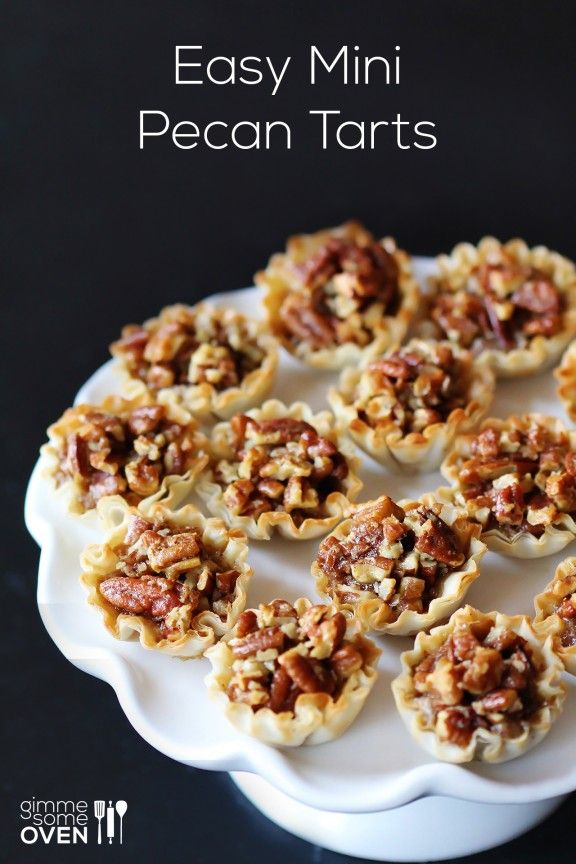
(375, 765)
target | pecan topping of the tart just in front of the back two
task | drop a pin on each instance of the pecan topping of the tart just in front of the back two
(414, 387)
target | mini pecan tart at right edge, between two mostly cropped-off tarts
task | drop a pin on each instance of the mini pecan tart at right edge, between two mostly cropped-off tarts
(517, 478)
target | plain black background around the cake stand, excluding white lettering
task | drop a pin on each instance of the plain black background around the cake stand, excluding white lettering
(96, 233)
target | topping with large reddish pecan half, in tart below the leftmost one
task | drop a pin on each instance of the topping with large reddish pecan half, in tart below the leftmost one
(167, 573)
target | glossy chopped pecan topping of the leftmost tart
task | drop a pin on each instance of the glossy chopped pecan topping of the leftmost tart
(126, 453)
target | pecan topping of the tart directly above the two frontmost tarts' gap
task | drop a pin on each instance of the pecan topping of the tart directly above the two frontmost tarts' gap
(401, 556)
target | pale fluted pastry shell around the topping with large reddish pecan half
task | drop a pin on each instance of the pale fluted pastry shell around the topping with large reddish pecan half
(99, 561)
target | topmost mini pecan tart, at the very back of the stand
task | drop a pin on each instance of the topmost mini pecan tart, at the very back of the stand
(339, 295)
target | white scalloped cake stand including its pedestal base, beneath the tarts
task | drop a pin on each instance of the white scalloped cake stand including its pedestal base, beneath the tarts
(372, 793)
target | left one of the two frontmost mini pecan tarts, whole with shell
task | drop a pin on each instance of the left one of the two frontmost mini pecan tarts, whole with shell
(291, 675)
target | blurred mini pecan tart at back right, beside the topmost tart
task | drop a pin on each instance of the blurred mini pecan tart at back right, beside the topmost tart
(514, 305)
